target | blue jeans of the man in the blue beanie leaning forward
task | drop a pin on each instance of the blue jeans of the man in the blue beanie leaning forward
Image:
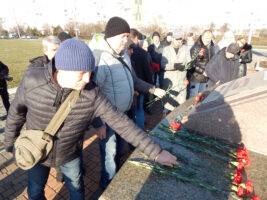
(72, 172)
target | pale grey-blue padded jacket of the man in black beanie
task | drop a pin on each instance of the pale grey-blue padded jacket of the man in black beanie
(115, 80)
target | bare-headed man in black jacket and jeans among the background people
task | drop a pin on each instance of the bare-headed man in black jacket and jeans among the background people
(202, 51)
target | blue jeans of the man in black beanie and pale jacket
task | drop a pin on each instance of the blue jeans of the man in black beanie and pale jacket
(110, 150)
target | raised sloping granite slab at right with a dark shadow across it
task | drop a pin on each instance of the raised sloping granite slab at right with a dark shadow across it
(235, 111)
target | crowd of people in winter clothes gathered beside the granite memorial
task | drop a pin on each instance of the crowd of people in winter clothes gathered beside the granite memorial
(117, 73)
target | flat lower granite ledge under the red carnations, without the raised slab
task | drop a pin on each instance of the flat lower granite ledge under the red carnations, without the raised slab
(133, 182)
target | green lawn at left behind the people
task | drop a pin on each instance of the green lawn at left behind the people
(16, 55)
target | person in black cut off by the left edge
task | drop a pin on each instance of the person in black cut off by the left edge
(3, 86)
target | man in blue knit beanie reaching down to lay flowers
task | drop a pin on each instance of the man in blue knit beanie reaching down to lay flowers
(40, 94)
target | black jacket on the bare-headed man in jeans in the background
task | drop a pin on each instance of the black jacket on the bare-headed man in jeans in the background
(196, 73)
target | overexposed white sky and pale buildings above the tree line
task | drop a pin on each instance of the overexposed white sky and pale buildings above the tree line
(239, 13)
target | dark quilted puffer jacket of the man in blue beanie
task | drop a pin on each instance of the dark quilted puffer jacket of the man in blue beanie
(37, 100)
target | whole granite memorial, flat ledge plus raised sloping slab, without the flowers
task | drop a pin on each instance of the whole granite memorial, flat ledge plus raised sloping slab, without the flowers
(133, 182)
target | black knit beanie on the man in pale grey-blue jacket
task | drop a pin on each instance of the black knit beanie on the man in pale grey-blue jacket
(116, 26)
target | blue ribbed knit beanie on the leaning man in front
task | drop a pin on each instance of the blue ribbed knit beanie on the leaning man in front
(74, 55)
